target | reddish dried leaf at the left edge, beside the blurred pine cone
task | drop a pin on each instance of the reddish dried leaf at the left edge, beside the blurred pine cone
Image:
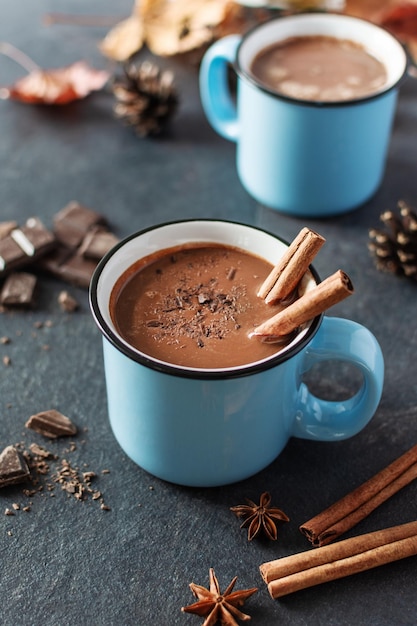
(57, 86)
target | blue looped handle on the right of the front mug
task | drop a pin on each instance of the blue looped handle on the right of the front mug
(323, 420)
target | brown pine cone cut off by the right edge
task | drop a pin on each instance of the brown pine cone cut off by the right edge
(396, 250)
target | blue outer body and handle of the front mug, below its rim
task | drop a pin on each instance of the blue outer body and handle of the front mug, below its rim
(213, 432)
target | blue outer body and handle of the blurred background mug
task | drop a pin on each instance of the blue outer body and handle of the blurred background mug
(300, 158)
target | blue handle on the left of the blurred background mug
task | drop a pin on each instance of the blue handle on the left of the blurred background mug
(215, 94)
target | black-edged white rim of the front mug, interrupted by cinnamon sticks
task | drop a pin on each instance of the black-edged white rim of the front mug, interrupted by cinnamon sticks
(183, 371)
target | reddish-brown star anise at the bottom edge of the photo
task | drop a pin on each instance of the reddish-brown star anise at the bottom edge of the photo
(216, 606)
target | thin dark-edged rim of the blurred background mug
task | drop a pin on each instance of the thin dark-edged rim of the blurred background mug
(241, 71)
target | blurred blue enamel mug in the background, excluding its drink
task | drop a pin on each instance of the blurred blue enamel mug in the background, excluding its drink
(303, 158)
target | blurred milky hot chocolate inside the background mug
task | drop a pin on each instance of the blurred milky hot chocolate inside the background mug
(319, 68)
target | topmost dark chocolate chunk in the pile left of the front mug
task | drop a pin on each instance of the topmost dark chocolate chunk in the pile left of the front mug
(73, 222)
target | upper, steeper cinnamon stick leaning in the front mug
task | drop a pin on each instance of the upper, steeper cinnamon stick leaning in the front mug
(289, 270)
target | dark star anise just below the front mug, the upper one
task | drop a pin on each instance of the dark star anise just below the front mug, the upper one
(260, 517)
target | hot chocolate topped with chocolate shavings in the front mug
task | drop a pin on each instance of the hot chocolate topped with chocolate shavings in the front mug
(194, 306)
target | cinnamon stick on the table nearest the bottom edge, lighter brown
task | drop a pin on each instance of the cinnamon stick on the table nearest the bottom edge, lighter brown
(350, 556)
